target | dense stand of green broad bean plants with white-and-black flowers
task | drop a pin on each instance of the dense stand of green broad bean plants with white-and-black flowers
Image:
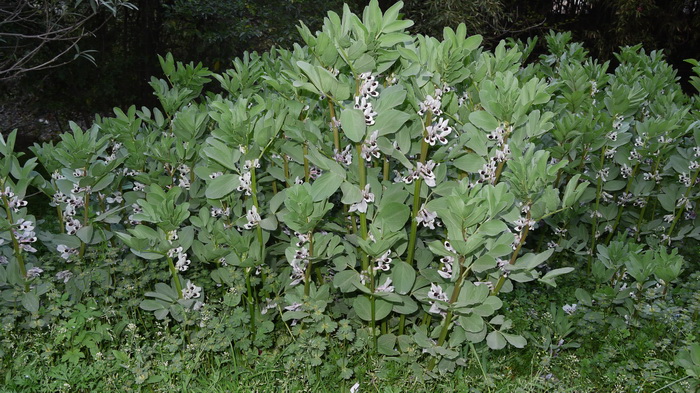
(368, 180)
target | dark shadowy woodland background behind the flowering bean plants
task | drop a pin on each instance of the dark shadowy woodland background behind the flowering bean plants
(215, 31)
